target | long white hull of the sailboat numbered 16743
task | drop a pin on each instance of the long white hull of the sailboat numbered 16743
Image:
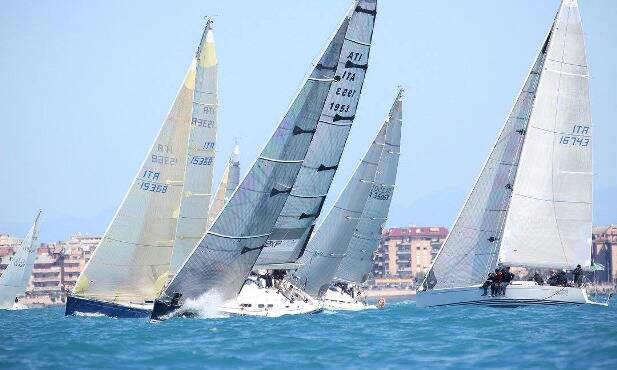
(519, 293)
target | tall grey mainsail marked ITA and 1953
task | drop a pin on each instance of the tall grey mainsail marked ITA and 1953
(304, 204)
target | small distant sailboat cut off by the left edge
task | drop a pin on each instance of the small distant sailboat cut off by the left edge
(14, 279)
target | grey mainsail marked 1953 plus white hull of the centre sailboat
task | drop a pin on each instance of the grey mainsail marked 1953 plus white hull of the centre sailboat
(266, 292)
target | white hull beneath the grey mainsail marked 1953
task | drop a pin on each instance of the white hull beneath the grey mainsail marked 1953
(255, 300)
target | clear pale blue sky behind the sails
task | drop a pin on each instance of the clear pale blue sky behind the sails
(85, 86)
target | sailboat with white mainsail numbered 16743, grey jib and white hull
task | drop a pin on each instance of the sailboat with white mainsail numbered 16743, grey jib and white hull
(531, 205)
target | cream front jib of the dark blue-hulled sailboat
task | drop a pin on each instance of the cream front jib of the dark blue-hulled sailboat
(131, 262)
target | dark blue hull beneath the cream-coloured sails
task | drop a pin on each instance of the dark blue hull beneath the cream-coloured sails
(75, 305)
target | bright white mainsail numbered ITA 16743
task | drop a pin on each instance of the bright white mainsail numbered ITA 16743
(550, 217)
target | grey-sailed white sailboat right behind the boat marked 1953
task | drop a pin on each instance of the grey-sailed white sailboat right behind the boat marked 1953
(339, 256)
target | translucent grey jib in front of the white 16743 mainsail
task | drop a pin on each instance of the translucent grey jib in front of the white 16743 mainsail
(471, 248)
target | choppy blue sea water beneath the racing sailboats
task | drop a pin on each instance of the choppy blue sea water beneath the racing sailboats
(398, 336)
